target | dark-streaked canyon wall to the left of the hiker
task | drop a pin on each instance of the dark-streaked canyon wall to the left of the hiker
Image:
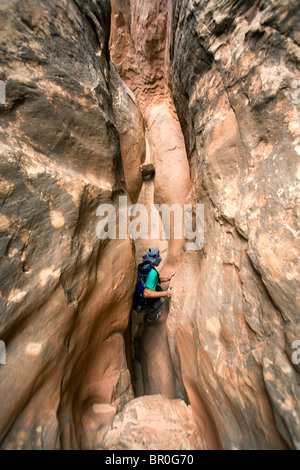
(65, 296)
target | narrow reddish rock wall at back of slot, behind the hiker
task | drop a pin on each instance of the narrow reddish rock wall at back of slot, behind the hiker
(145, 68)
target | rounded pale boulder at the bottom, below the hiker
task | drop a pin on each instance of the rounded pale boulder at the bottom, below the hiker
(154, 423)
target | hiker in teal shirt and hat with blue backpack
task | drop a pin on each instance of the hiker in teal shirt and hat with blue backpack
(150, 292)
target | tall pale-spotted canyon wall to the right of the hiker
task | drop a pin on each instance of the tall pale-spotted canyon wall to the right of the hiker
(240, 315)
